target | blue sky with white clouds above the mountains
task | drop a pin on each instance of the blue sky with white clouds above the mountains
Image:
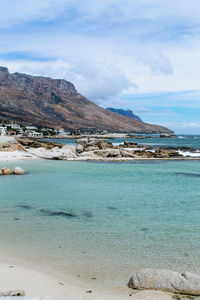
(137, 54)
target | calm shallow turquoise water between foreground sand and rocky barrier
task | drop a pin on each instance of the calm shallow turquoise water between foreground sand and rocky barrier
(122, 217)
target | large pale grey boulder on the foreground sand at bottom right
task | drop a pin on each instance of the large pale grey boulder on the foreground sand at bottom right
(166, 280)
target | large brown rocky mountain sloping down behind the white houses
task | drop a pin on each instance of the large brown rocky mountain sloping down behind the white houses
(55, 103)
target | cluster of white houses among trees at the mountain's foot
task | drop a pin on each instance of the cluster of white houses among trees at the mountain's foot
(14, 129)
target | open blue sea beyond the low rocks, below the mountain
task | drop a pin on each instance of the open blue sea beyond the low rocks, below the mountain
(191, 141)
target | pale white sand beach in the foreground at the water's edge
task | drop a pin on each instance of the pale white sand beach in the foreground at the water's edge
(37, 284)
